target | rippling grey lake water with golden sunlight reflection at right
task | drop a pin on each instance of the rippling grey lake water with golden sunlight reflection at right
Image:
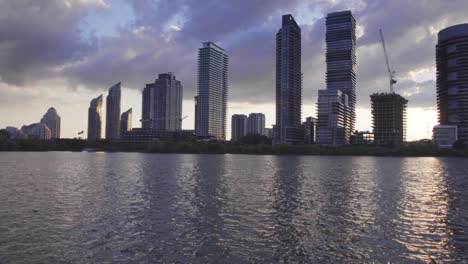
(131, 207)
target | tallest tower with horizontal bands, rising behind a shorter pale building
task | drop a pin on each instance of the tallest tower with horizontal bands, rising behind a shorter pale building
(341, 68)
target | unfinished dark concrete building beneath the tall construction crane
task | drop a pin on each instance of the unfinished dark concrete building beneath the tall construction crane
(389, 118)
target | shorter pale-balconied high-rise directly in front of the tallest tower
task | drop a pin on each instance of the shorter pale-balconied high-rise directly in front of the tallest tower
(331, 107)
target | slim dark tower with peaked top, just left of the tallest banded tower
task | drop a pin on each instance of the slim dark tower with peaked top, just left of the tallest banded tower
(288, 83)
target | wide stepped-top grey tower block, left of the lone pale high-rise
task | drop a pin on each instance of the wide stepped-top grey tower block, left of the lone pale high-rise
(162, 104)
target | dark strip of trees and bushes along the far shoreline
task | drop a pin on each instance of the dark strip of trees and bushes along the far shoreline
(416, 149)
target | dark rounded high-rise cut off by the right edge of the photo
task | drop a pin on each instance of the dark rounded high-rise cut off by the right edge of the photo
(452, 78)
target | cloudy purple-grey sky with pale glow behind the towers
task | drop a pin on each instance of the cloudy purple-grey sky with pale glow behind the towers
(63, 53)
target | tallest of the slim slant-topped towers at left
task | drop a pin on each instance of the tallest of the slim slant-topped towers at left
(113, 112)
